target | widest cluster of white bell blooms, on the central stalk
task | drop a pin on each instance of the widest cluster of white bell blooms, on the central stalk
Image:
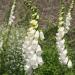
(31, 48)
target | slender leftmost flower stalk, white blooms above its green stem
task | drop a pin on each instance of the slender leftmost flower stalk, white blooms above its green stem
(10, 22)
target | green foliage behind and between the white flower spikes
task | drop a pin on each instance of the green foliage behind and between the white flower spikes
(11, 62)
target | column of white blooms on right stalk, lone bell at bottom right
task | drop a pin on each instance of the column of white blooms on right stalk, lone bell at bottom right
(60, 42)
